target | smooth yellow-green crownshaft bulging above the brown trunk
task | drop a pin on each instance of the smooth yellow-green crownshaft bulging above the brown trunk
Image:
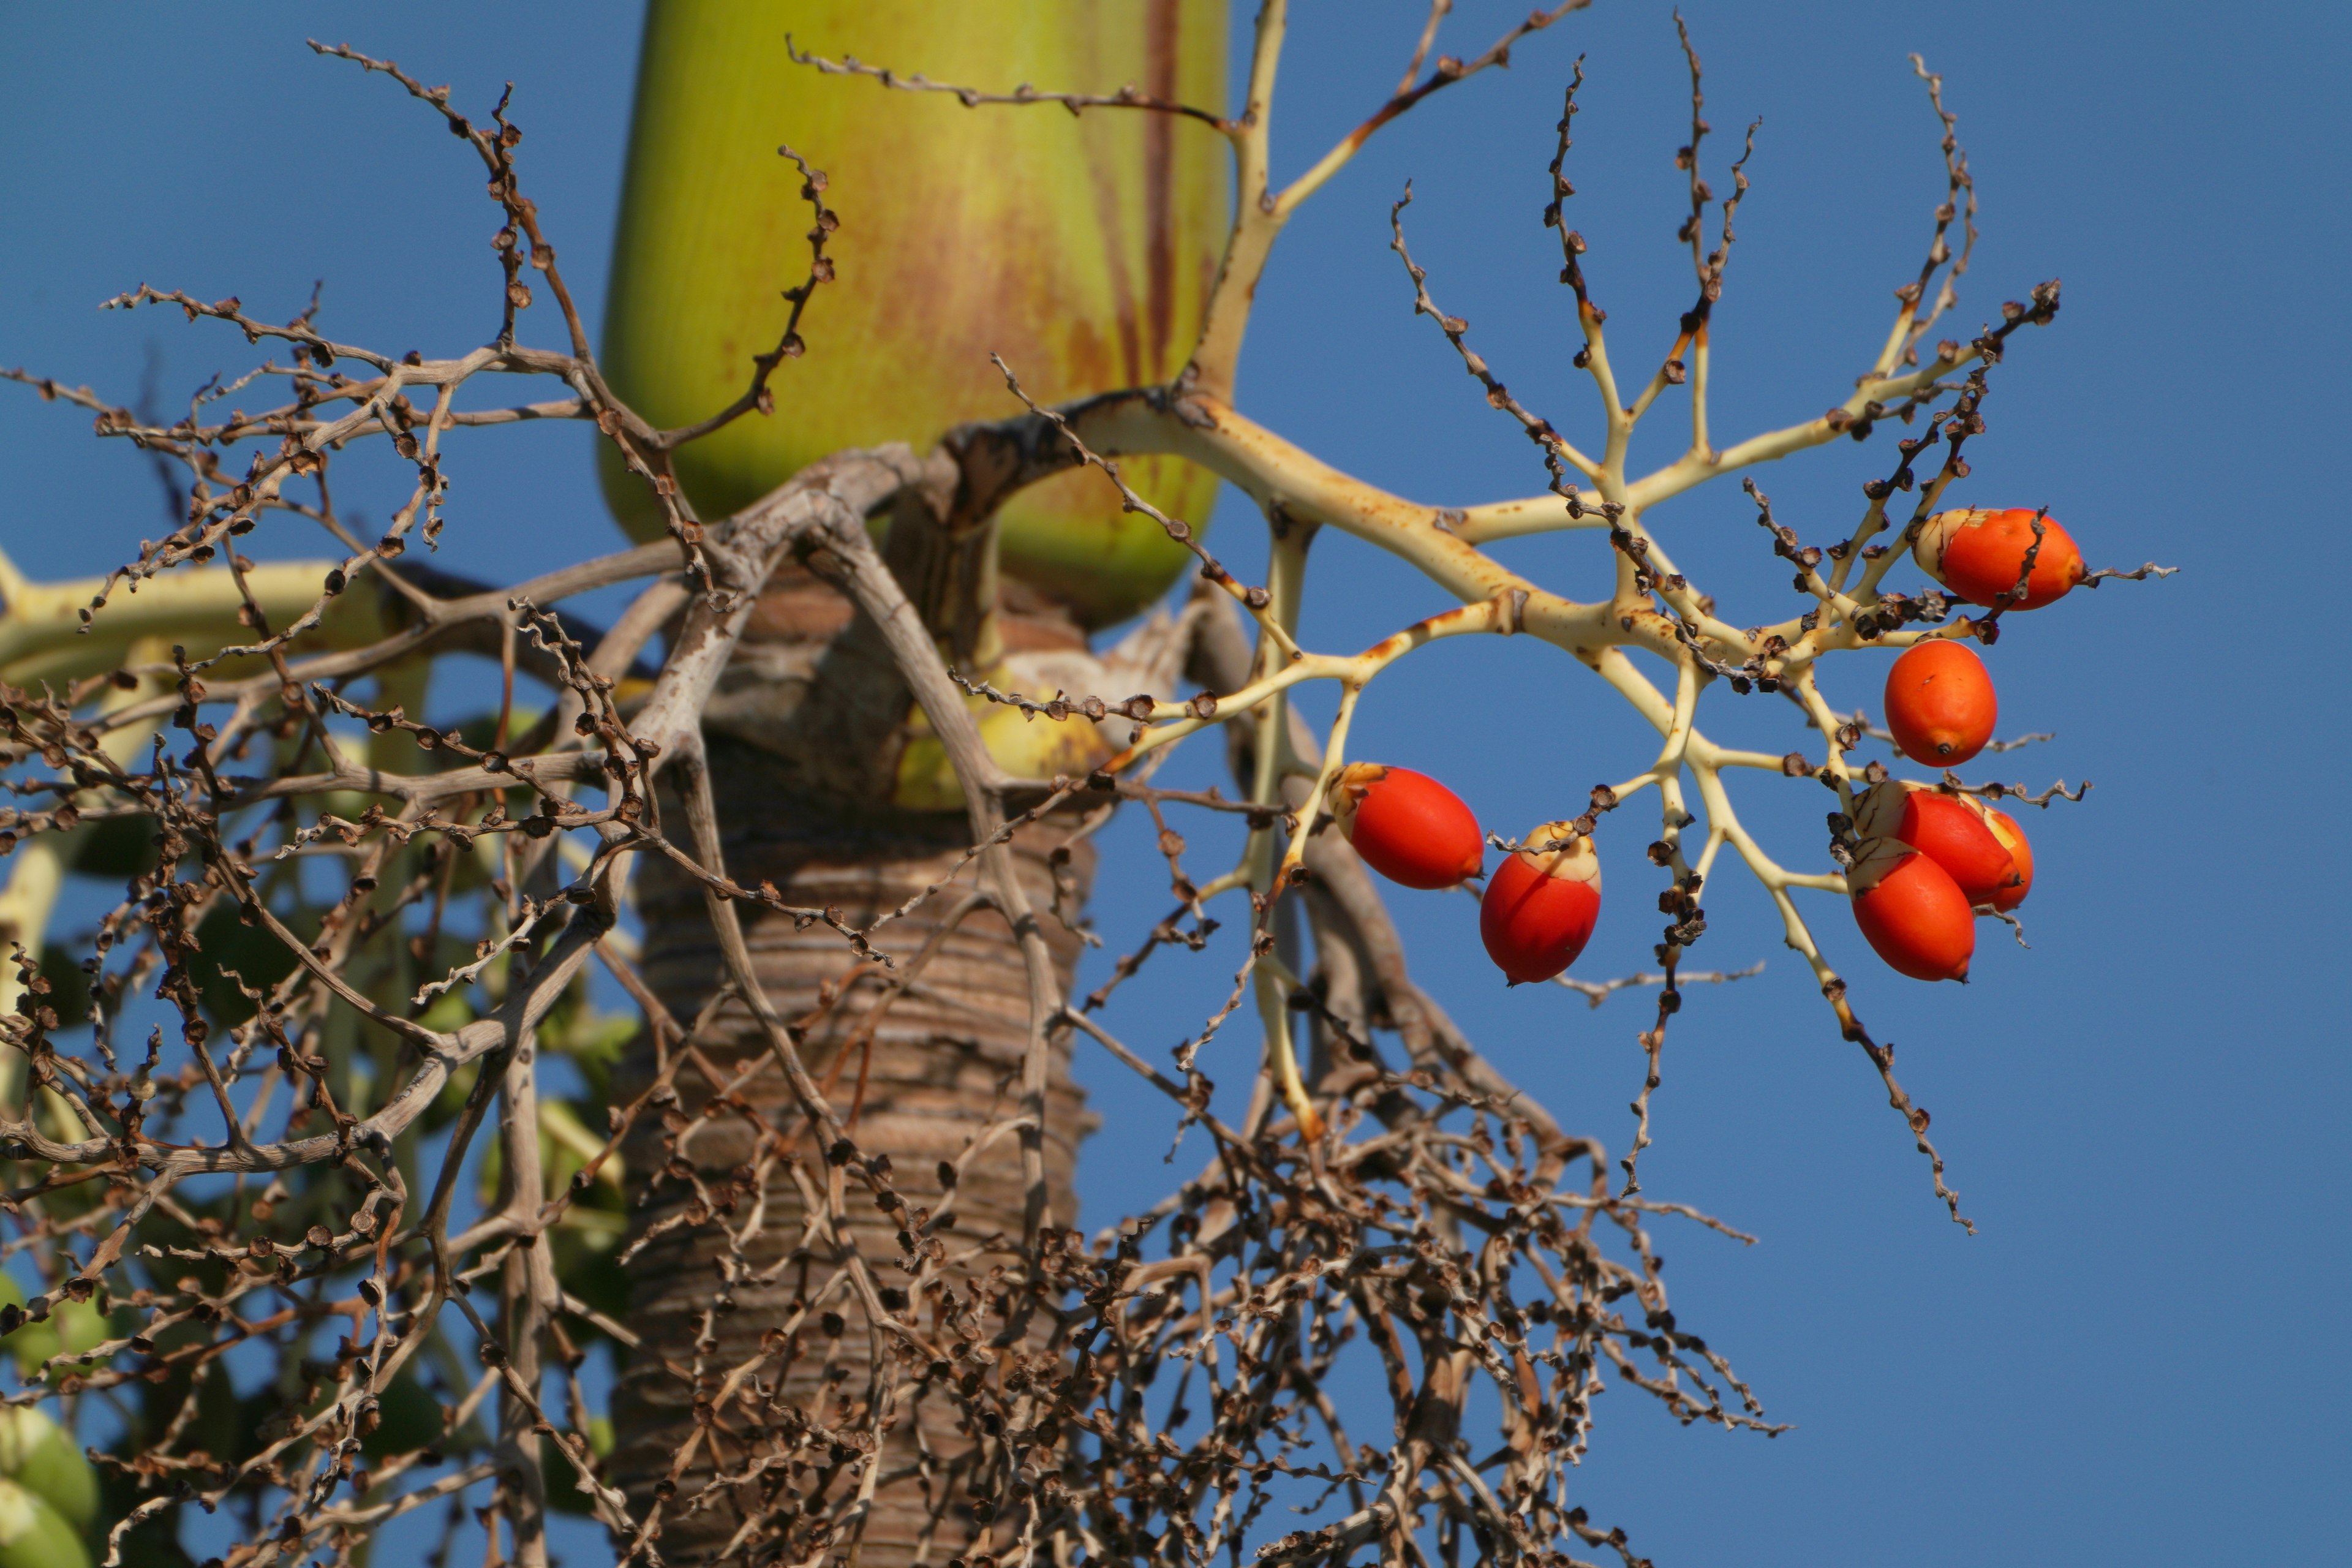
(1078, 248)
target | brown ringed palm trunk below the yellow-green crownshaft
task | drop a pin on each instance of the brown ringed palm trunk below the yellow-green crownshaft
(726, 1261)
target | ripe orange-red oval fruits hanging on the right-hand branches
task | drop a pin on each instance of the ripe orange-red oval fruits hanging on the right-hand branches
(1925, 859)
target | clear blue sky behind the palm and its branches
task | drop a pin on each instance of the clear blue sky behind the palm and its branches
(2146, 1115)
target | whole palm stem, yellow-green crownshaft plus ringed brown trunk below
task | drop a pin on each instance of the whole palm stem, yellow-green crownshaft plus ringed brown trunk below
(1083, 253)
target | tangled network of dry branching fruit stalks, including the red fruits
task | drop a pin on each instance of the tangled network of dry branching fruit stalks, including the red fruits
(312, 1235)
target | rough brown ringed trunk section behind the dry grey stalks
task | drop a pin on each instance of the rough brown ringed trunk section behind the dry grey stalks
(940, 1068)
